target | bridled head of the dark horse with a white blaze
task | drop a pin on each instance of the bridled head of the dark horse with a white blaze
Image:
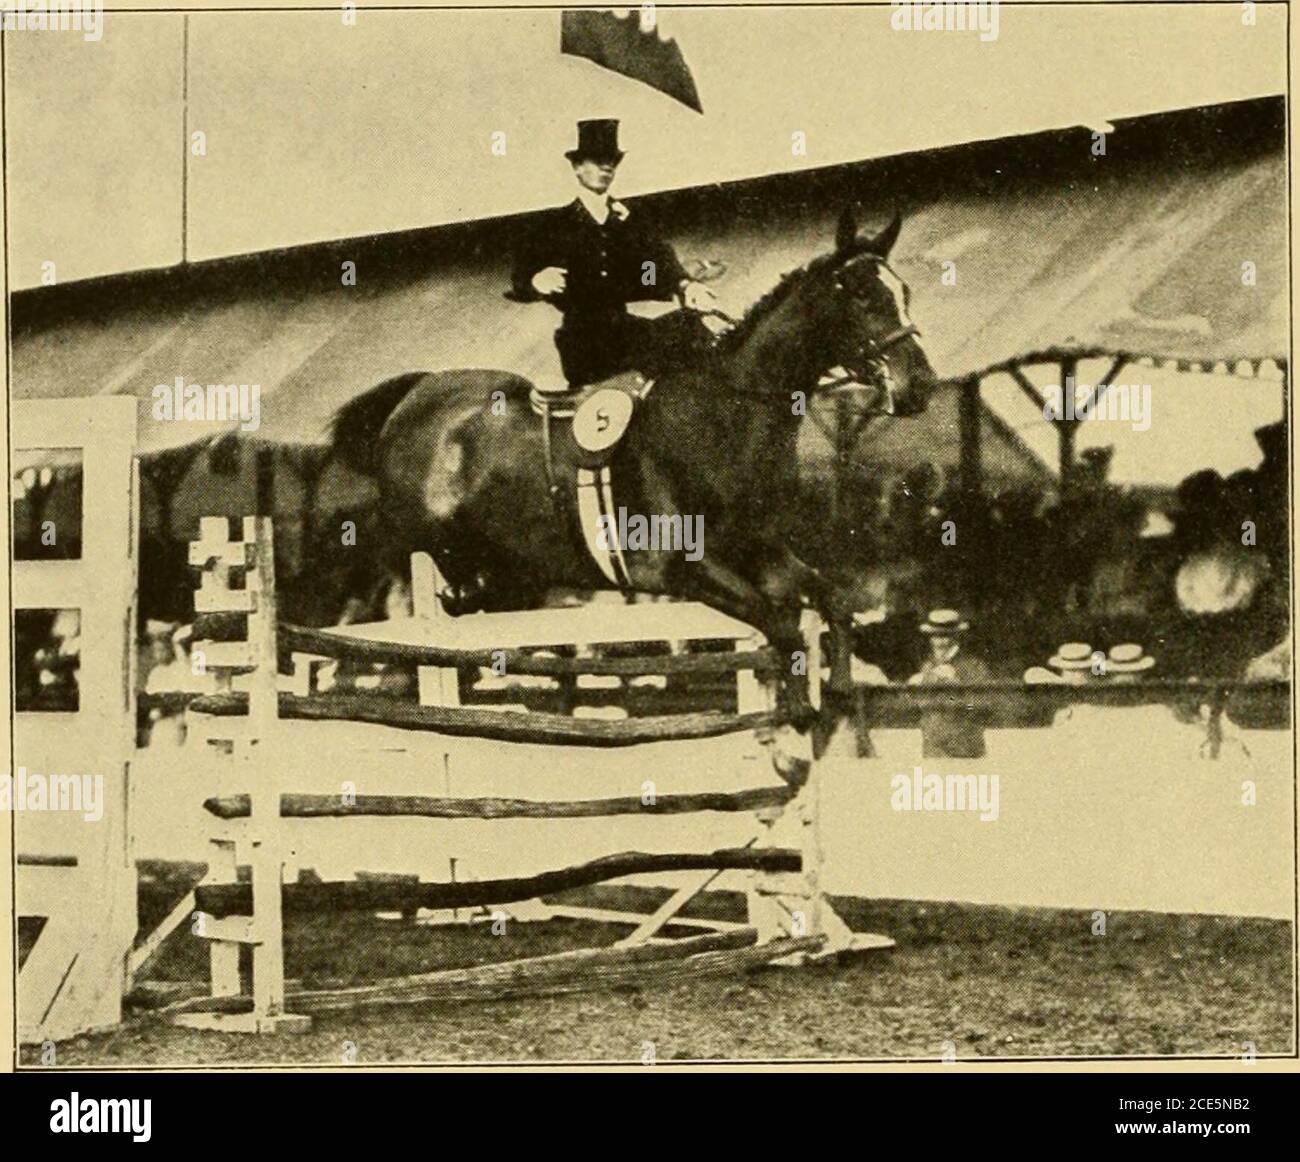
(872, 345)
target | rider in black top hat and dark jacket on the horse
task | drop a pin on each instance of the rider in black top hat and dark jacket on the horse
(593, 261)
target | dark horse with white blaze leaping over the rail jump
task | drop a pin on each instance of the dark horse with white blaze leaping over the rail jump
(462, 465)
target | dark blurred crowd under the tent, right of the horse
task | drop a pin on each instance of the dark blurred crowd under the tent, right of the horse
(1202, 578)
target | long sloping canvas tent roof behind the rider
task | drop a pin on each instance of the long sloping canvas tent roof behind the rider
(1138, 252)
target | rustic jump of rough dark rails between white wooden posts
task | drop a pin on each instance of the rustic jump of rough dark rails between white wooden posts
(788, 917)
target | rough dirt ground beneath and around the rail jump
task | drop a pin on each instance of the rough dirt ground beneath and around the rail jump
(977, 982)
